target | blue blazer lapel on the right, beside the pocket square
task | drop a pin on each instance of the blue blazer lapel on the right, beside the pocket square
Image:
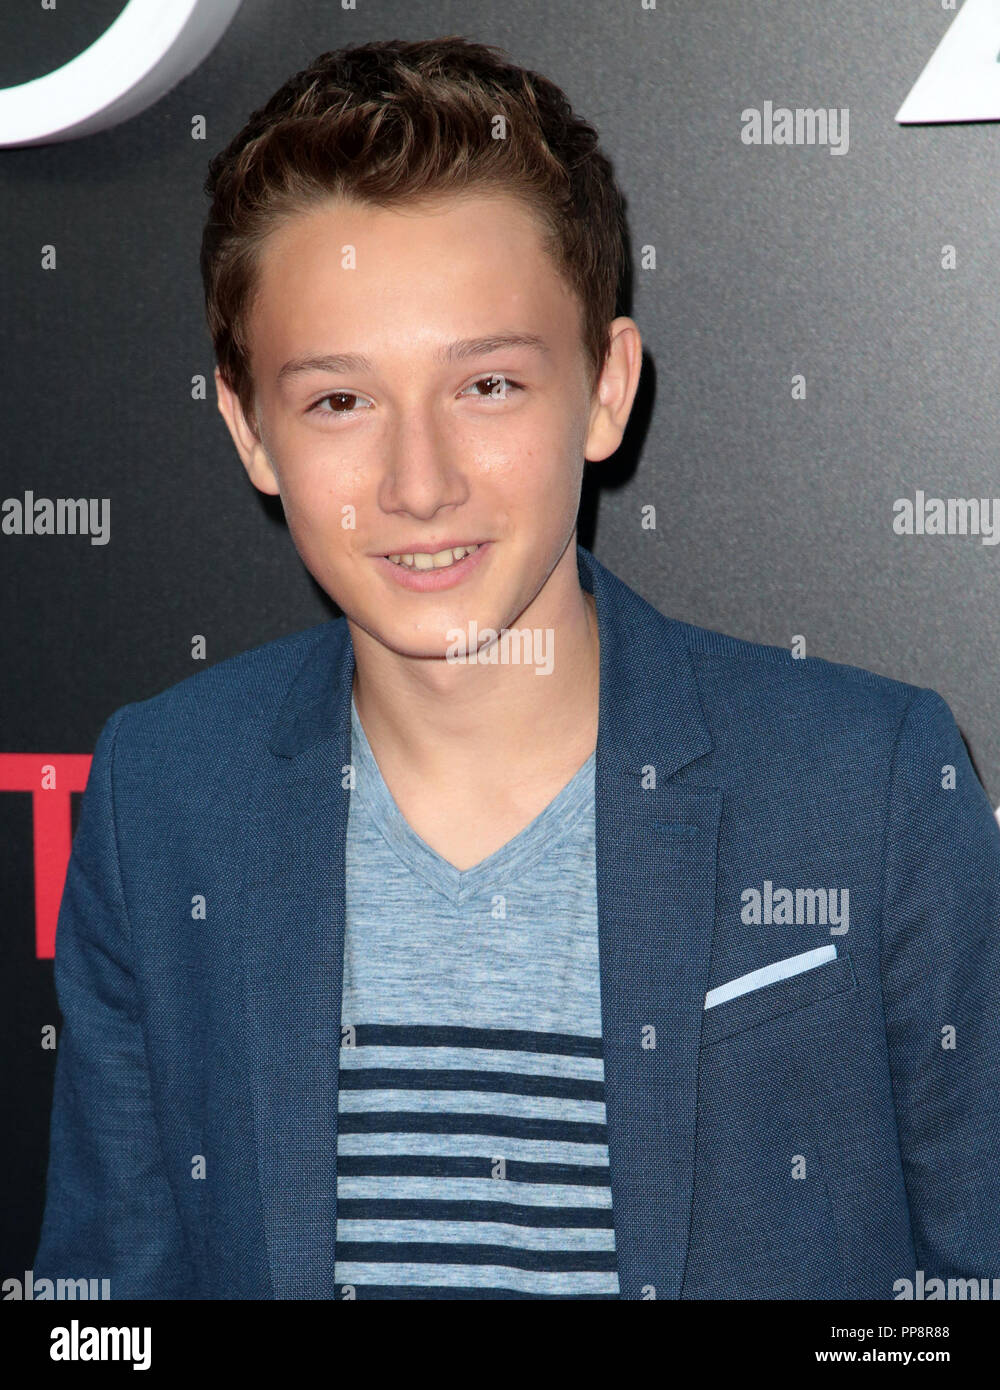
(656, 886)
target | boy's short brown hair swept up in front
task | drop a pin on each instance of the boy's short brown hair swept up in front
(393, 122)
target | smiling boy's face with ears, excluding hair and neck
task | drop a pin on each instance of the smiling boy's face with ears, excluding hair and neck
(415, 448)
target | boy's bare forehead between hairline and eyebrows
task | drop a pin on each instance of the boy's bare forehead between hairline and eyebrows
(351, 277)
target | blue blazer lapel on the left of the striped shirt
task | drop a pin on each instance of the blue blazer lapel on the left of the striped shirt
(294, 964)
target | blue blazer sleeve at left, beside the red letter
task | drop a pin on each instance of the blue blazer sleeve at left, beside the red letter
(109, 1213)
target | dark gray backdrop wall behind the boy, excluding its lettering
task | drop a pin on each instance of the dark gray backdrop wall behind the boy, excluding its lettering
(774, 515)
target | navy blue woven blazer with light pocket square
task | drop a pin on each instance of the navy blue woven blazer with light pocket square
(820, 1136)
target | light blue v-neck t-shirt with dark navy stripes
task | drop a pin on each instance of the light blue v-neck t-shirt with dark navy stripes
(472, 1156)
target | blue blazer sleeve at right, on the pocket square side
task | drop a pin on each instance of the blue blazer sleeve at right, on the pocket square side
(941, 986)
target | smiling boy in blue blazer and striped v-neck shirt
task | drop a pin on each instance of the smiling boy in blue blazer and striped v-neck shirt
(503, 939)
